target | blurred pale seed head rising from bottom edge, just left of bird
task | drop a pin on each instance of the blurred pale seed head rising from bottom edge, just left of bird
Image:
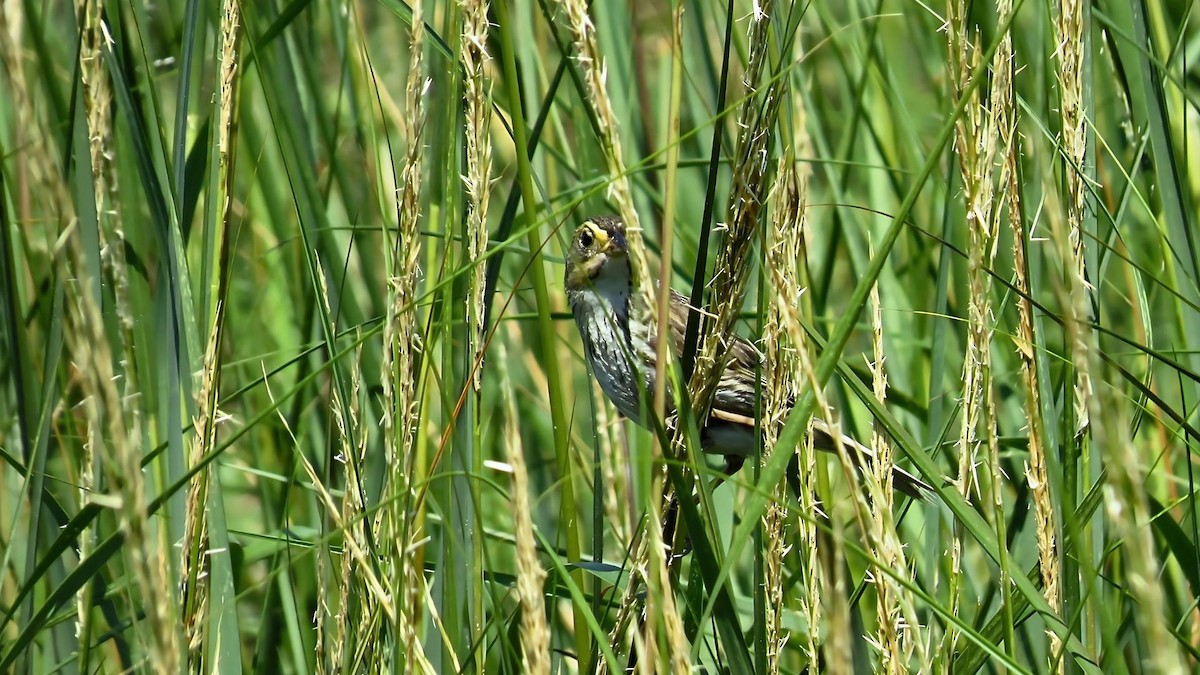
(536, 635)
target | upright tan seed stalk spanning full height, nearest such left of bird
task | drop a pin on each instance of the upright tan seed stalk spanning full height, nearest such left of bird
(400, 347)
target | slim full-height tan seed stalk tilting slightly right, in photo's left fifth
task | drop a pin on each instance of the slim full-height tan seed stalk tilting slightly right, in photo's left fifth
(194, 555)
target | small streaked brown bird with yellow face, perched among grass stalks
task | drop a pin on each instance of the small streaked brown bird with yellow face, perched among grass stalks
(621, 351)
